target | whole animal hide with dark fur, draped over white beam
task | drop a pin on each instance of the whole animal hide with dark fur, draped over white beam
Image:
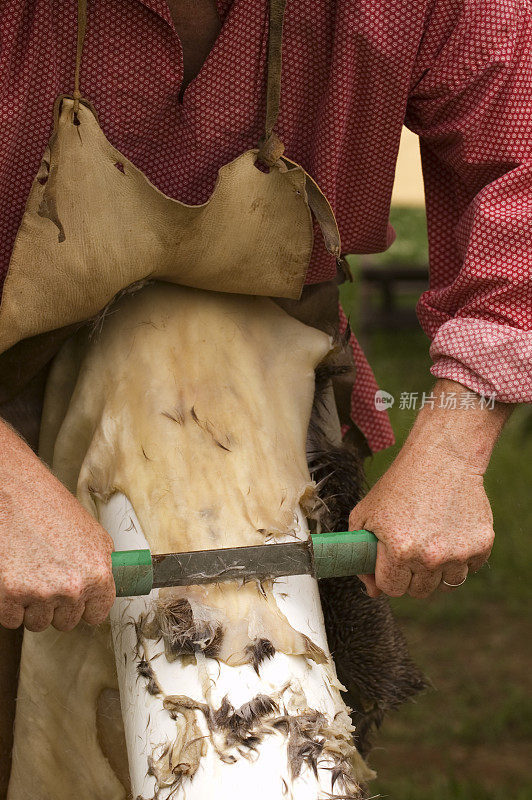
(196, 407)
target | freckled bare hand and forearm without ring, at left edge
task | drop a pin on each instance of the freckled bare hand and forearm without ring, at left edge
(55, 559)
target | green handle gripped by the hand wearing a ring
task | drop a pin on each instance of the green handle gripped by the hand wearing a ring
(337, 555)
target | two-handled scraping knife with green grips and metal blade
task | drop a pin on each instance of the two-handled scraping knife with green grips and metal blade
(324, 555)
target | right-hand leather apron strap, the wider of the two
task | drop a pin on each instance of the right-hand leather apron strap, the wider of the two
(270, 146)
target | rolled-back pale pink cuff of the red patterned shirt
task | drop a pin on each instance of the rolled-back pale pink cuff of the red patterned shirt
(488, 358)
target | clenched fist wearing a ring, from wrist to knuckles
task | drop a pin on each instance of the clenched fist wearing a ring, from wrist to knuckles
(433, 523)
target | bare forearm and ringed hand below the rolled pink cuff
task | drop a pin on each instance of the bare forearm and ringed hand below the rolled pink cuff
(429, 510)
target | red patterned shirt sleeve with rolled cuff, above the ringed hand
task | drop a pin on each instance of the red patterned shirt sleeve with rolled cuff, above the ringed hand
(471, 105)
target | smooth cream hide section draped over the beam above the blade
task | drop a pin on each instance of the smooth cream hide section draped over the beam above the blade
(196, 406)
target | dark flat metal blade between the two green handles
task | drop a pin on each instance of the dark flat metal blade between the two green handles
(211, 566)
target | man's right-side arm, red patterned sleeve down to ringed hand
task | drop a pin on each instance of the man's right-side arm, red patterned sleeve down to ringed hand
(471, 105)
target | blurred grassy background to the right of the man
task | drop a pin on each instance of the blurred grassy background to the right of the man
(470, 737)
